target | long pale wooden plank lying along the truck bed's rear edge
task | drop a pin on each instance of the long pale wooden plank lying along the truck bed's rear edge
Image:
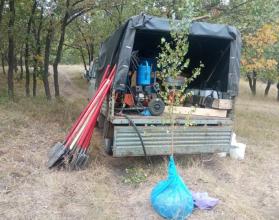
(197, 111)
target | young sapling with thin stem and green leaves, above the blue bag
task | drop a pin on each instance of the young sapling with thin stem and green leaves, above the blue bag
(172, 62)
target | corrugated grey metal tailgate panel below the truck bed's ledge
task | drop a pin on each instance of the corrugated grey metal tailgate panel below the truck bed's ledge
(157, 140)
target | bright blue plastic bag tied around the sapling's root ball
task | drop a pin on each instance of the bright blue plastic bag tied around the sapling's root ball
(171, 198)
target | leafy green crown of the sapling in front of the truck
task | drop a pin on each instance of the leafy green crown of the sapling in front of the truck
(172, 60)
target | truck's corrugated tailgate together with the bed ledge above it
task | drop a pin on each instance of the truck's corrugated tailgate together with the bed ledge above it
(204, 135)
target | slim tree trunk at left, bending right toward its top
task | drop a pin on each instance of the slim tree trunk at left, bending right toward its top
(26, 55)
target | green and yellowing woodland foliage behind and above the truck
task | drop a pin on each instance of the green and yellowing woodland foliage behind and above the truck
(79, 26)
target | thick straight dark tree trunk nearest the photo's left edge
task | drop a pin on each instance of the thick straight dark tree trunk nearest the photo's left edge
(11, 48)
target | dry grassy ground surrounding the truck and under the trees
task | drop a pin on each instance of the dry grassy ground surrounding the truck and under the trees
(247, 189)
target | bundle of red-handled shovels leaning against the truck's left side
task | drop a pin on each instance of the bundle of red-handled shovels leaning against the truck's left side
(73, 151)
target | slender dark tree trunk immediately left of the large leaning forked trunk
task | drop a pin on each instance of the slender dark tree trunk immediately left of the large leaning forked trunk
(46, 58)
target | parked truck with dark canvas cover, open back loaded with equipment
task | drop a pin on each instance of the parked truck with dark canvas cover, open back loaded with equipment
(127, 130)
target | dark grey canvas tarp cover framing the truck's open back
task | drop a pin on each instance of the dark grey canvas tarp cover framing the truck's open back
(118, 47)
